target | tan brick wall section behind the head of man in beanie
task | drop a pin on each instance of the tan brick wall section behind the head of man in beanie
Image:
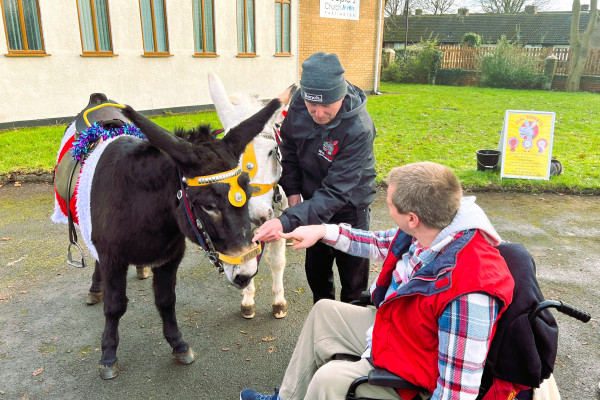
(355, 42)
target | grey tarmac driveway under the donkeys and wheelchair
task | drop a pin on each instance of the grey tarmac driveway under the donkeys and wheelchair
(49, 339)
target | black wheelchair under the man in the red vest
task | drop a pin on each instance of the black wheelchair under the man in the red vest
(520, 371)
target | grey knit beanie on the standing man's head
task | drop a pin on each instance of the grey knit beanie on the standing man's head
(322, 79)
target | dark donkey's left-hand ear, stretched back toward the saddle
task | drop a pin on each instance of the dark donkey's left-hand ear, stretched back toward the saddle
(165, 141)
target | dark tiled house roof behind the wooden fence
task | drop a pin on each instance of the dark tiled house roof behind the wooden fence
(545, 28)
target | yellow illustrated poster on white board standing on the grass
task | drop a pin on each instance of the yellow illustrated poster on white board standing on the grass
(526, 144)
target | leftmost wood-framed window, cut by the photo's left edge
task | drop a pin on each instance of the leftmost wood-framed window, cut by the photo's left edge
(23, 27)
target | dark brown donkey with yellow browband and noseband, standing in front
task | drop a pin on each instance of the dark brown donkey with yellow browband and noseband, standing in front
(145, 197)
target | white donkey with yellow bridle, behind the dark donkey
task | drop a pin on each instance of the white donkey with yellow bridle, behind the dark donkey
(261, 161)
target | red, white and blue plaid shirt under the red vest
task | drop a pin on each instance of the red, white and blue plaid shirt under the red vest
(464, 328)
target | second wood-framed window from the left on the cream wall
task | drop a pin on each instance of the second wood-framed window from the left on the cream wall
(94, 27)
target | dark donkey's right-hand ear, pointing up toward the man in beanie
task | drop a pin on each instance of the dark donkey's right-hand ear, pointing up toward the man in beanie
(239, 136)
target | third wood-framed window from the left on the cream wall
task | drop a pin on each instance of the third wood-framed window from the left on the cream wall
(154, 27)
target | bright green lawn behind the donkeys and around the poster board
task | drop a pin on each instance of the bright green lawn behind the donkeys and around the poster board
(414, 123)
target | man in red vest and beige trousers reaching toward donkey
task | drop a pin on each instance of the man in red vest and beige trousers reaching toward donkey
(442, 288)
